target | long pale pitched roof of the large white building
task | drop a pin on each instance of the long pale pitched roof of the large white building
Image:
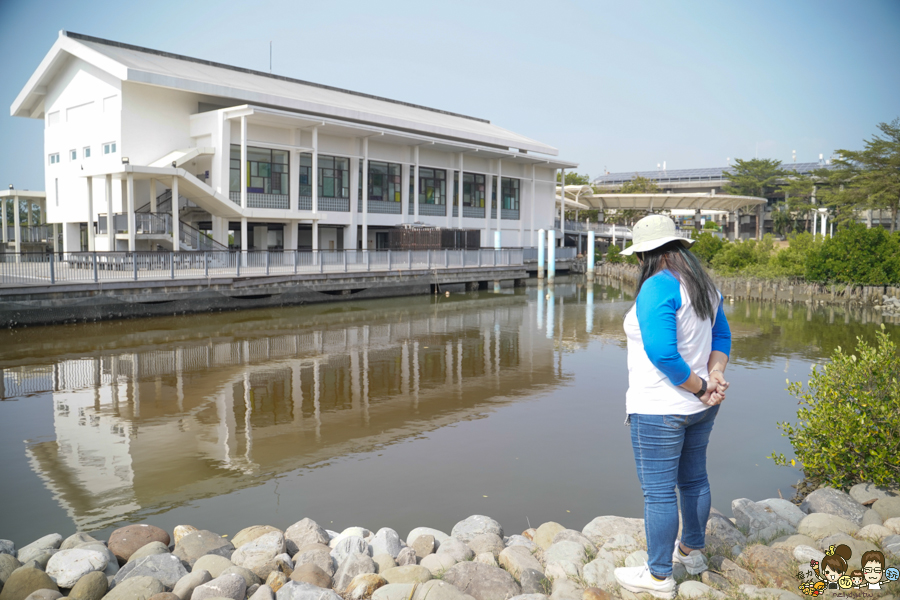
(244, 86)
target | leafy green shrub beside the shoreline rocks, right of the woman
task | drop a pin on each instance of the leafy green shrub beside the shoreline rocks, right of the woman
(848, 430)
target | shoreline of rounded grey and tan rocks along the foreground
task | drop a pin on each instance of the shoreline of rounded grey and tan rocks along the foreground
(763, 551)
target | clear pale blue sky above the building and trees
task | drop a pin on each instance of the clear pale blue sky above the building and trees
(615, 85)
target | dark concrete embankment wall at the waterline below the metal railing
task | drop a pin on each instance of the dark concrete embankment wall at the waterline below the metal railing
(44, 305)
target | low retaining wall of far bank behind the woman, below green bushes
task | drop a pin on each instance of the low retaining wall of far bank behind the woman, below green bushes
(740, 288)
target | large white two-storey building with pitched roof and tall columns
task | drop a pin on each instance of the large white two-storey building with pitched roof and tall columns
(128, 127)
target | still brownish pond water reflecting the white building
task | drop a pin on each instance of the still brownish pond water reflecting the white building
(399, 412)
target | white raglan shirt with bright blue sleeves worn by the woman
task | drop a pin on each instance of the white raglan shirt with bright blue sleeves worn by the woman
(666, 341)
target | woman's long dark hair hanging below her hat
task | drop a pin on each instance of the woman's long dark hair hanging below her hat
(685, 266)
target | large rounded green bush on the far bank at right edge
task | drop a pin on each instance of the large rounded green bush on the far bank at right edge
(857, 255)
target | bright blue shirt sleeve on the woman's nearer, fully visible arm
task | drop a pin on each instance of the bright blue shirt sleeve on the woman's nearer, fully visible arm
(656, 305)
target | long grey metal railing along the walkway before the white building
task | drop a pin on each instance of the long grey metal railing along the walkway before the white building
(75, 267)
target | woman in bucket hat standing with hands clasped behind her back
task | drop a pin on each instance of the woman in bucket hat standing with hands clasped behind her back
(678, 347)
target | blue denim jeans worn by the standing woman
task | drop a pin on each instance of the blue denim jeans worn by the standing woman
(670, 450)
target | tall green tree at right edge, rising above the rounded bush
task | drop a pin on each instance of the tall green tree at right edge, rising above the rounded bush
(875, 171)
